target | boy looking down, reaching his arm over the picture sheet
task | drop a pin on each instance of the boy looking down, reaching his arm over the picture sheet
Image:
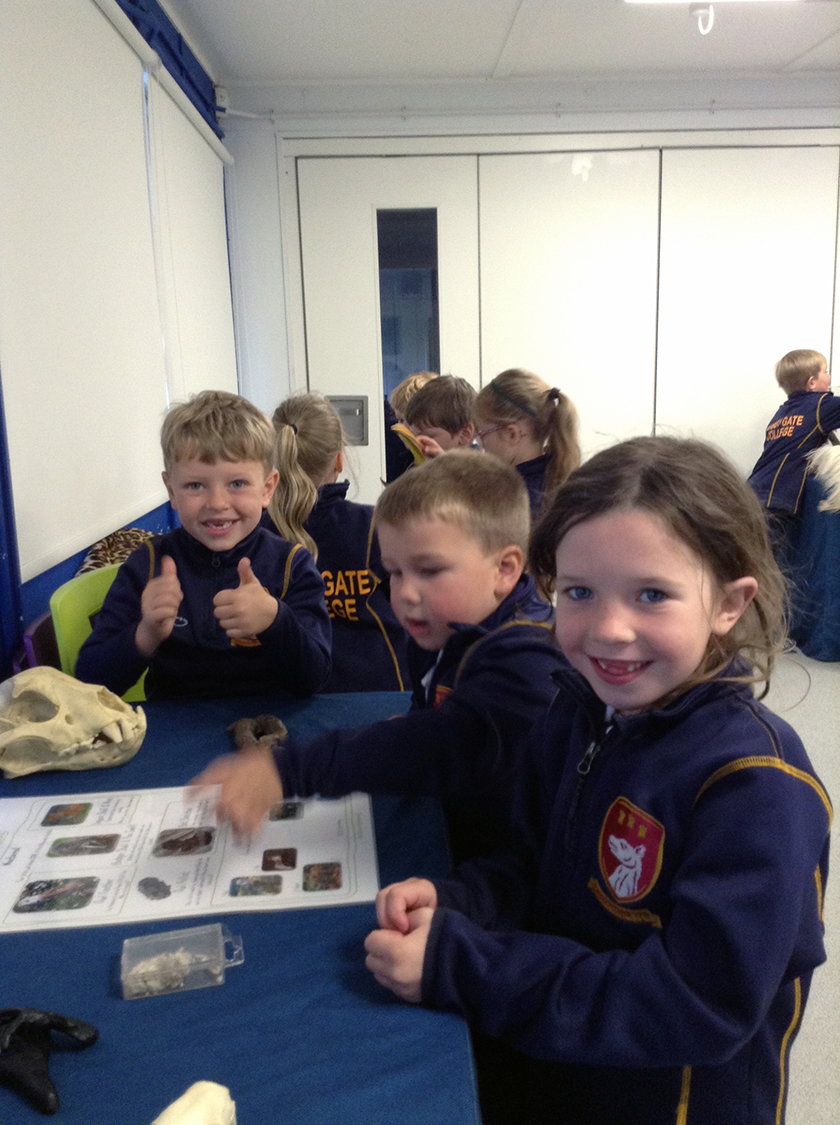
(453, 535)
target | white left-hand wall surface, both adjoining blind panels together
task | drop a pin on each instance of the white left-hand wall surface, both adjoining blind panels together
(115, 292)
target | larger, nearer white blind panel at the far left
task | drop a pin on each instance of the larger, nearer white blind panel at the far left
(80, 330)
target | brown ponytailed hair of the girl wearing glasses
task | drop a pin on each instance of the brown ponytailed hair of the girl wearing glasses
(521, 397)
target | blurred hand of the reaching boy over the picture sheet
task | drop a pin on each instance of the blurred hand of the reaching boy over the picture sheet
(250, 786)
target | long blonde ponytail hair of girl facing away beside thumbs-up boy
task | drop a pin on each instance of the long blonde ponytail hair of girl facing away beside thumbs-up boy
(310, 437)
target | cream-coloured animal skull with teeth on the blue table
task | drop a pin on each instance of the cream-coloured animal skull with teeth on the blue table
(52, 722)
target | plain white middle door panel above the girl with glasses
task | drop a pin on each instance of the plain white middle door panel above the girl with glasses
(570, 281)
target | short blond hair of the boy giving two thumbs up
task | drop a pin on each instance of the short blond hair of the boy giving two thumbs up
(216, 426)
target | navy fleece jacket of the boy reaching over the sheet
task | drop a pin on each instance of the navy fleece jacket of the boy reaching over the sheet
(460, 737)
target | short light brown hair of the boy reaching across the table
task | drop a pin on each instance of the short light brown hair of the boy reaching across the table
(484, 498)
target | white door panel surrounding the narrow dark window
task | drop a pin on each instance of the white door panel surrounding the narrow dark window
(339, 202)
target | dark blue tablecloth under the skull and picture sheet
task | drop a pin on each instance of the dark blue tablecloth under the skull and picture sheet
(301, 1033)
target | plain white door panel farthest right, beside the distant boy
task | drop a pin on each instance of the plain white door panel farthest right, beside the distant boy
(747, 274)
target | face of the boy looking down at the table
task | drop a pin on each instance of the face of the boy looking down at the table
(440, 575)
